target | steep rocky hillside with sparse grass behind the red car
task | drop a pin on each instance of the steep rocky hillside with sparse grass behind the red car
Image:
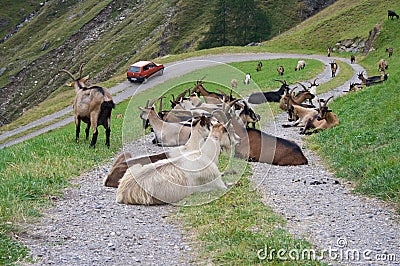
(107, 36)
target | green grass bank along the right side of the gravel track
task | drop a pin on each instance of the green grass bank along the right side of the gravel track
(365, 147)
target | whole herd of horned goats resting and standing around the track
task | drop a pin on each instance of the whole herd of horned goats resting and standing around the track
(198, 126)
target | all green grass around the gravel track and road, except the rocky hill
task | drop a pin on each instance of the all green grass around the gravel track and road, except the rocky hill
(364, 147)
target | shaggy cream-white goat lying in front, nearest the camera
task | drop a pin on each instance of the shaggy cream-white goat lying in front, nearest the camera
(170, 180)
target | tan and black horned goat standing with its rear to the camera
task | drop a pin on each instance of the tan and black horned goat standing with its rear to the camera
(92, 105)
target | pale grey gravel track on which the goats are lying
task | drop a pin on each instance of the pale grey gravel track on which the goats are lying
(87, 227)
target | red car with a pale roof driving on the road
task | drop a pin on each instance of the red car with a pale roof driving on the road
(142, 70)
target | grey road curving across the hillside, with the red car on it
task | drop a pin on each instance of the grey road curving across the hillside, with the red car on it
(126, 89)
